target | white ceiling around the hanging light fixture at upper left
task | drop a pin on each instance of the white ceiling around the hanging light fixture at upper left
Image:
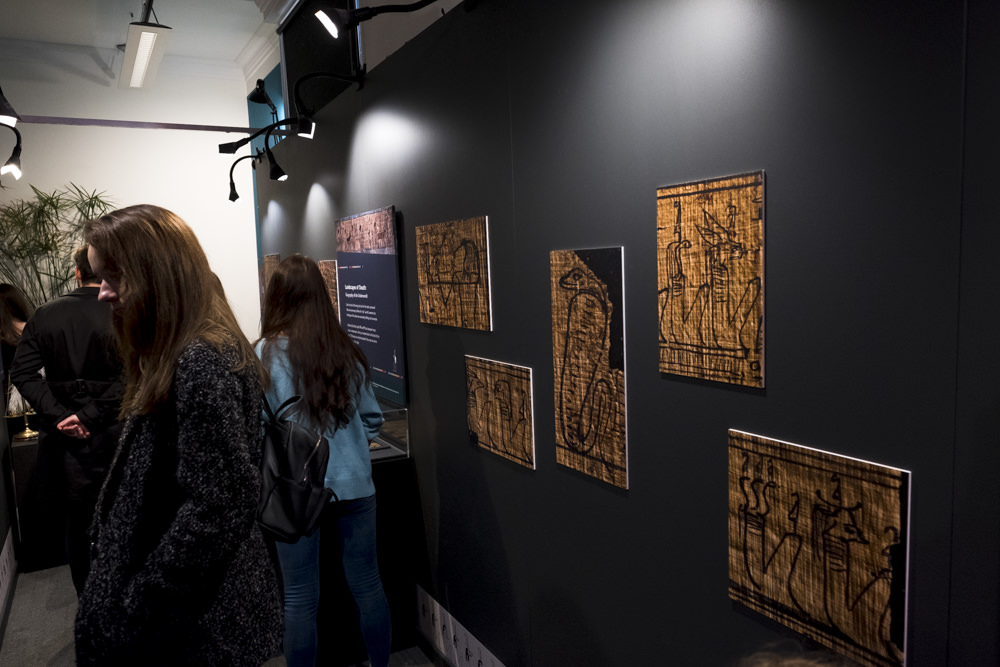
(208, 29)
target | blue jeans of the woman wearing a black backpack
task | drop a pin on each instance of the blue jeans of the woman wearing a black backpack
(300, 563)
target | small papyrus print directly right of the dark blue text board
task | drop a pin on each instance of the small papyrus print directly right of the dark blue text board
(453, 274)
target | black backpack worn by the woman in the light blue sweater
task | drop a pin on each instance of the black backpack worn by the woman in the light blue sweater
(293, 491)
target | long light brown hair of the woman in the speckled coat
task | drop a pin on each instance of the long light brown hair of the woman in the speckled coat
(168, 298)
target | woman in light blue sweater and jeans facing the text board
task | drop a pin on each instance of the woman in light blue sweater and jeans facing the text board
(307, 353)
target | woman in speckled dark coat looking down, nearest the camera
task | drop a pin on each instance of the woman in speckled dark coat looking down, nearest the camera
(180, 572)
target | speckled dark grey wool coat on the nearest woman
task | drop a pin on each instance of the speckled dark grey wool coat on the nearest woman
(181, 574)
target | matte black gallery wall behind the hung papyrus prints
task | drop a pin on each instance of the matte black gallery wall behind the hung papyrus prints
(875, 126)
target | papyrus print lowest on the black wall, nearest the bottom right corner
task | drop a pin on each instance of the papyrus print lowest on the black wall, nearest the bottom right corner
(818, 542)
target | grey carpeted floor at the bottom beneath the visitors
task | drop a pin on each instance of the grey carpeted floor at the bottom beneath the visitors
(40, 626)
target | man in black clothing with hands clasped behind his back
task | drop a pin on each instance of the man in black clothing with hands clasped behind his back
(68, 369)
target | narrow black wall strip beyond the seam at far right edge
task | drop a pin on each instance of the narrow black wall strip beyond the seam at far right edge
(975, 572)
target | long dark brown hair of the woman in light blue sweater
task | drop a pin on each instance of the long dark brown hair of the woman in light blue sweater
(327, 365)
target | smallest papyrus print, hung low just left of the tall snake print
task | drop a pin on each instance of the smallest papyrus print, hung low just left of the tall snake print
(499, 409)
